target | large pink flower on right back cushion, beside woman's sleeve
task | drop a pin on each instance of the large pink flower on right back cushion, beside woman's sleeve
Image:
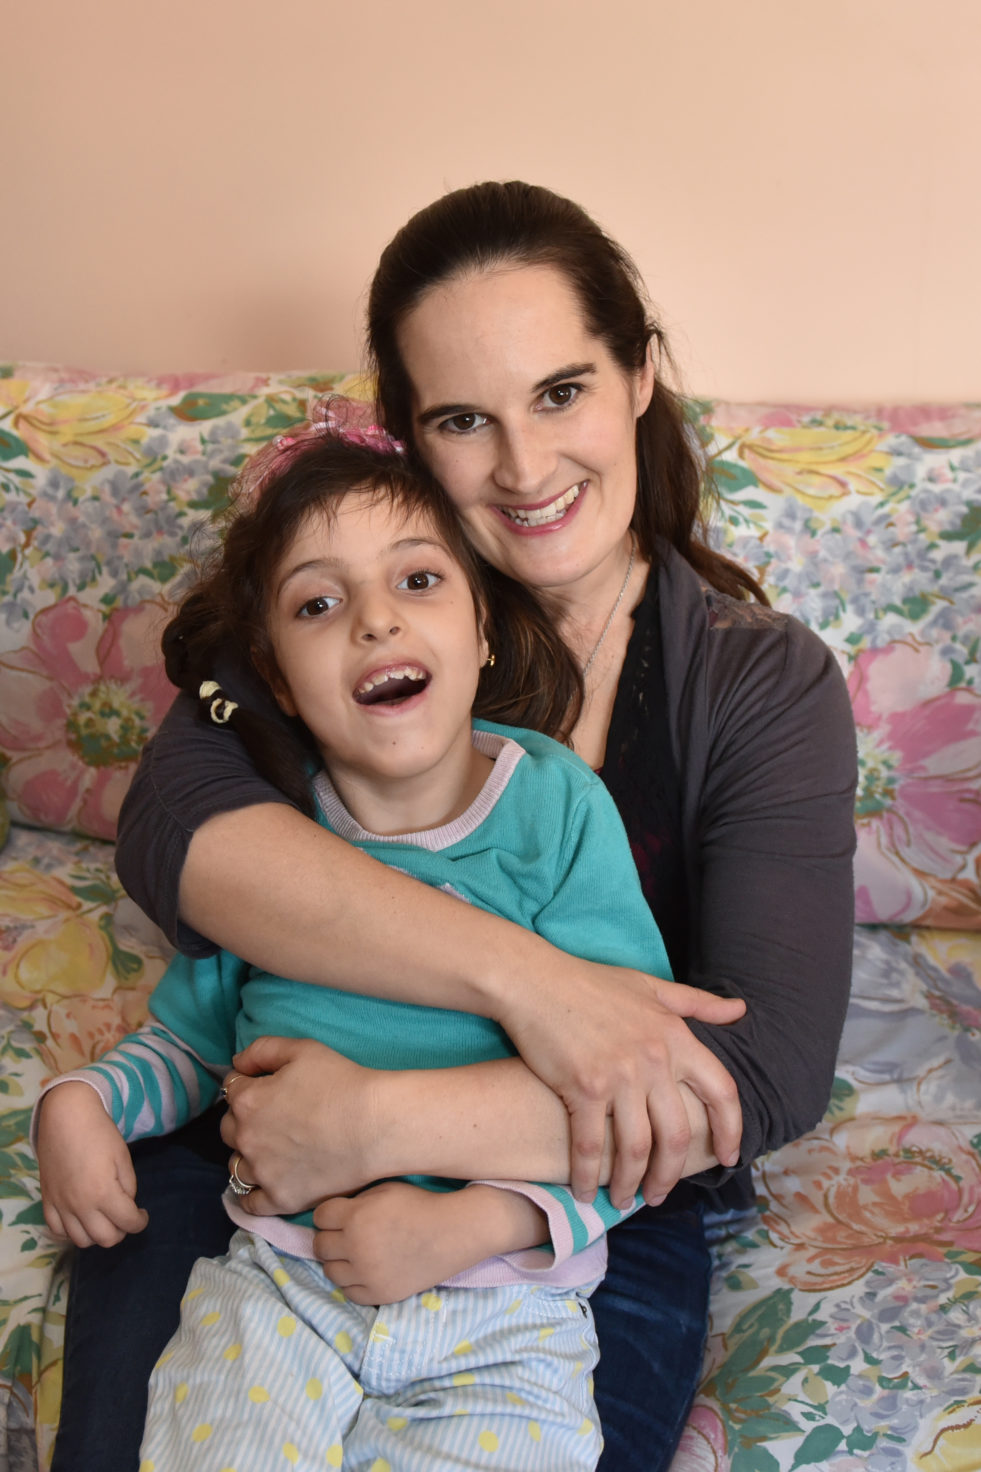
(920, 803)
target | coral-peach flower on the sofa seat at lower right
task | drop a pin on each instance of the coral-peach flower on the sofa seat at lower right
(867, 1192)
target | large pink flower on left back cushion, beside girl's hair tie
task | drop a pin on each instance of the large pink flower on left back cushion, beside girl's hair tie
(77, 704)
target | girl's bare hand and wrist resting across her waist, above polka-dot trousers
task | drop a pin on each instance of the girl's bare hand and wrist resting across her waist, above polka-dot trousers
(395, 1240)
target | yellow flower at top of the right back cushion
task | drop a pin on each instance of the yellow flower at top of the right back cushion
(818, 464)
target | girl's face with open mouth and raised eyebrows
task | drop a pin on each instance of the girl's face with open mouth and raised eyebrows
(375, 634)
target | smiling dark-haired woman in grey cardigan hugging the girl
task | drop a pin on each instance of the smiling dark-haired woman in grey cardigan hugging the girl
(515, 354)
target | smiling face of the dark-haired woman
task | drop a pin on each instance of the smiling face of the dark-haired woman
(528, 422)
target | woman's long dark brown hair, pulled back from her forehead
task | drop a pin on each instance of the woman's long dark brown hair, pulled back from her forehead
(522, 224)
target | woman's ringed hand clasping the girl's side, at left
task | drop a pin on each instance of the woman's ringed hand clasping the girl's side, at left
(306, 1130)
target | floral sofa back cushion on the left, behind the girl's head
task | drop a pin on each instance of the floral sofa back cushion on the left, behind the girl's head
(104, 485)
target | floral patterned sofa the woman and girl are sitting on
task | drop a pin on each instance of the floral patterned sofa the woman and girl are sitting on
(846, 1324)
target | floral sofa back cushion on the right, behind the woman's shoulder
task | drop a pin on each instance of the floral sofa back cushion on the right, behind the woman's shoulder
(867, 525)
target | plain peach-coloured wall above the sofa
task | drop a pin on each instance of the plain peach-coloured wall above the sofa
(208, 183)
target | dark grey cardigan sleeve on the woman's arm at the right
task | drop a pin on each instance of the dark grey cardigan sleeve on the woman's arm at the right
(773, 840)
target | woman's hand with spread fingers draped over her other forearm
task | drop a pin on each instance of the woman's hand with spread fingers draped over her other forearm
(613, 1043)
